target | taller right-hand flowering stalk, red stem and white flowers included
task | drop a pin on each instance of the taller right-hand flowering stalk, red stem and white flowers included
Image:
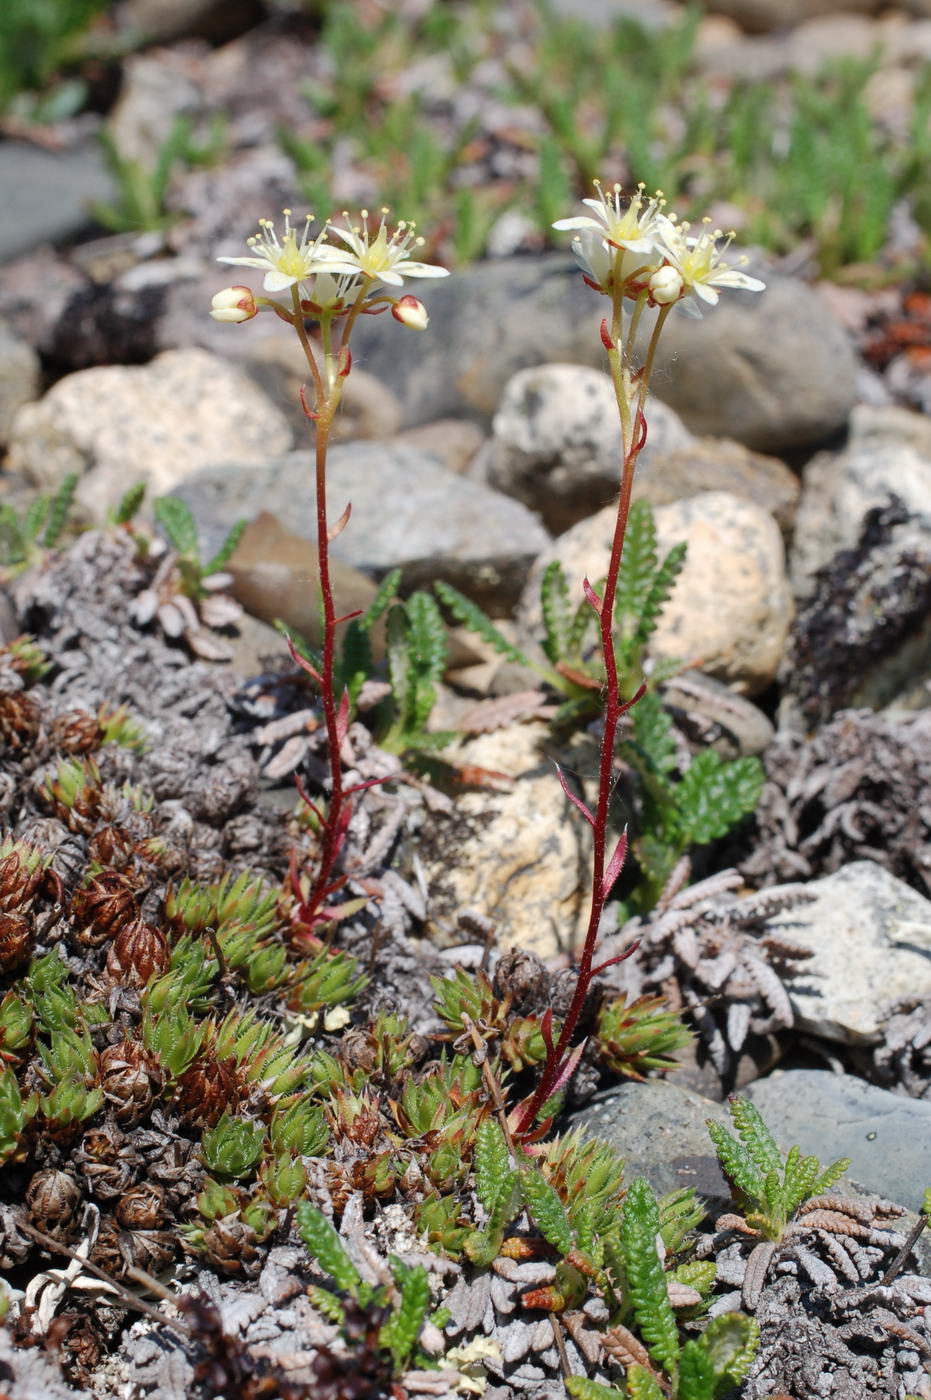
(631, 254)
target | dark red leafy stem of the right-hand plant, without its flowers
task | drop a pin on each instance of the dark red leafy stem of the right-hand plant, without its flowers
(631, 391)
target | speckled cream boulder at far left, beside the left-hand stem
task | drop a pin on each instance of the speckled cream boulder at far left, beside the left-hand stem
(157, 423)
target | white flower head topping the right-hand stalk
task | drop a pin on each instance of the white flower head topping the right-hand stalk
(631, 247)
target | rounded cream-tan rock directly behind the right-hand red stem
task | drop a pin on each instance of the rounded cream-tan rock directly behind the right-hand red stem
(731, 605)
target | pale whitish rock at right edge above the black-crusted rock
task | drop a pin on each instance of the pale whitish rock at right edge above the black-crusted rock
(839, 489)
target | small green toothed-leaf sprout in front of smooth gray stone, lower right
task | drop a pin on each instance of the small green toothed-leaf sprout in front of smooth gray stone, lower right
(769, 1188)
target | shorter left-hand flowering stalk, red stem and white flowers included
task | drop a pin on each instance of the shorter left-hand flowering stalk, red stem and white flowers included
(332, 285)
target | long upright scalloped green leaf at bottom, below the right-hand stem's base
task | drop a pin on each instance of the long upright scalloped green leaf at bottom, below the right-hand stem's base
(646, 1276)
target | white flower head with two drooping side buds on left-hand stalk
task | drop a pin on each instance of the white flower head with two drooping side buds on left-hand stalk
(332, 278)
